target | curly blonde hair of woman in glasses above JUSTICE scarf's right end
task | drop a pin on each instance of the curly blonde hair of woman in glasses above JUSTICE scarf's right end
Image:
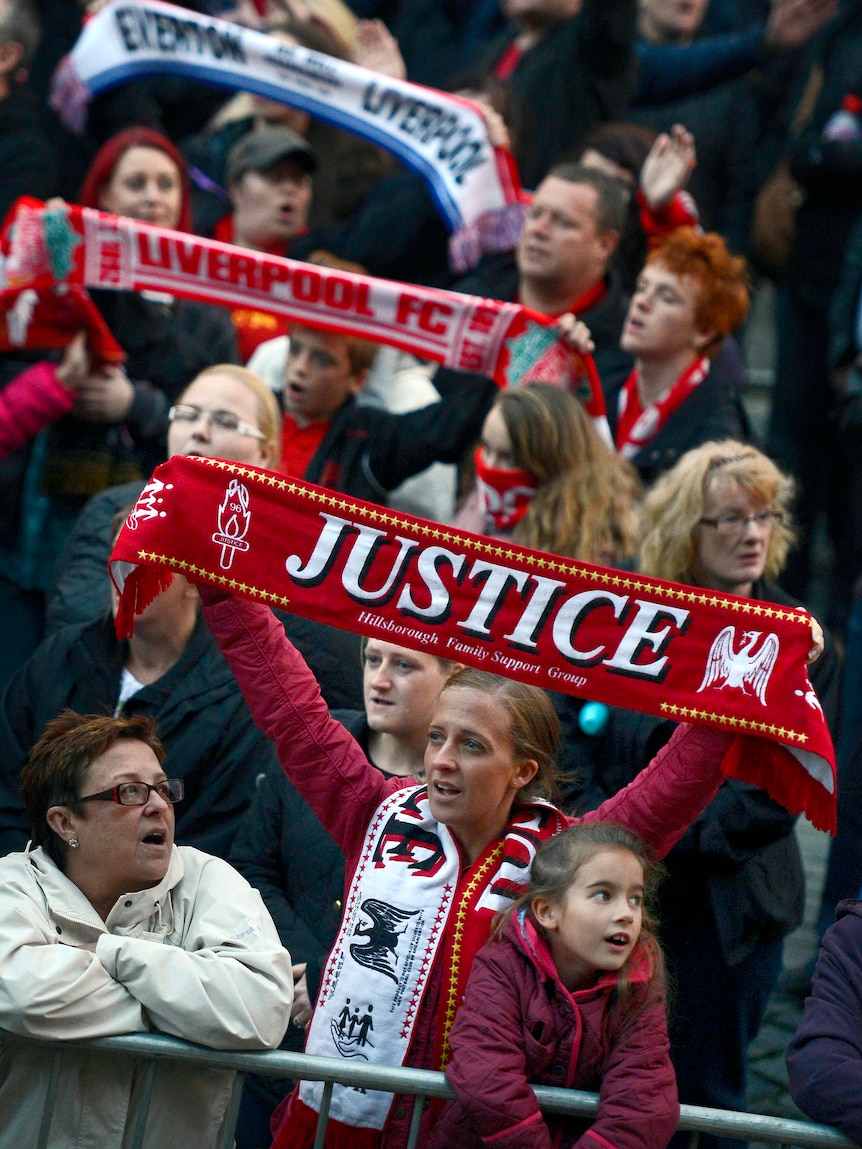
(674, 507)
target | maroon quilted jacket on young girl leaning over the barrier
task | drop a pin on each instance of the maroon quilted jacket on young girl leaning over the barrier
(519, 1024)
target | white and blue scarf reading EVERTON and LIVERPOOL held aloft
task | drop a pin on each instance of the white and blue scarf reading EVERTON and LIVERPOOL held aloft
(442, 137)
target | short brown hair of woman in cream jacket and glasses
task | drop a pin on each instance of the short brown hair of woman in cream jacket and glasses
(59, 764)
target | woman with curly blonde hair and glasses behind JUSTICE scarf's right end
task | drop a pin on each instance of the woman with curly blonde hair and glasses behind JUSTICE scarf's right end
(720, 520)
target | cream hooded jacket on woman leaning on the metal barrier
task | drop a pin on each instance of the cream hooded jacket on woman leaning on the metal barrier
(196, 957)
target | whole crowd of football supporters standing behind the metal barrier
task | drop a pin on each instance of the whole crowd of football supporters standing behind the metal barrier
(217, 784)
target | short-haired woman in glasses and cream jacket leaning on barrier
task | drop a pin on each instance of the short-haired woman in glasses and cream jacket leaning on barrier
(107, 928)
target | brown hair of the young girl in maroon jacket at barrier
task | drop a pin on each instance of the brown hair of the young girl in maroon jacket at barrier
(556, 868)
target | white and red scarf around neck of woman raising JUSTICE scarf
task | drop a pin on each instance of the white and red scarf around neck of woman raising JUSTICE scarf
(407, 906)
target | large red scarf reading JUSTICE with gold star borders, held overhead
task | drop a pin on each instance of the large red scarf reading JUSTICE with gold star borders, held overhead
(624, 639)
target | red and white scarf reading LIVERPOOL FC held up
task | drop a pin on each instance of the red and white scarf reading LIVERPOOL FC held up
(511, 344)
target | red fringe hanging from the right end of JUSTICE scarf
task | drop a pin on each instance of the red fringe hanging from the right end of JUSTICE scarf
(776, 770)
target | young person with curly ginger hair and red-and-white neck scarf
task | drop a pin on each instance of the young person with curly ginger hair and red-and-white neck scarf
(686, 388)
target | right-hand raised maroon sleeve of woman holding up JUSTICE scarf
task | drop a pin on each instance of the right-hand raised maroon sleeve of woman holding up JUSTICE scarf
(666, 798)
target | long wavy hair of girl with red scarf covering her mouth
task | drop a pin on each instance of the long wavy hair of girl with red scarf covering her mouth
(586, 504)
